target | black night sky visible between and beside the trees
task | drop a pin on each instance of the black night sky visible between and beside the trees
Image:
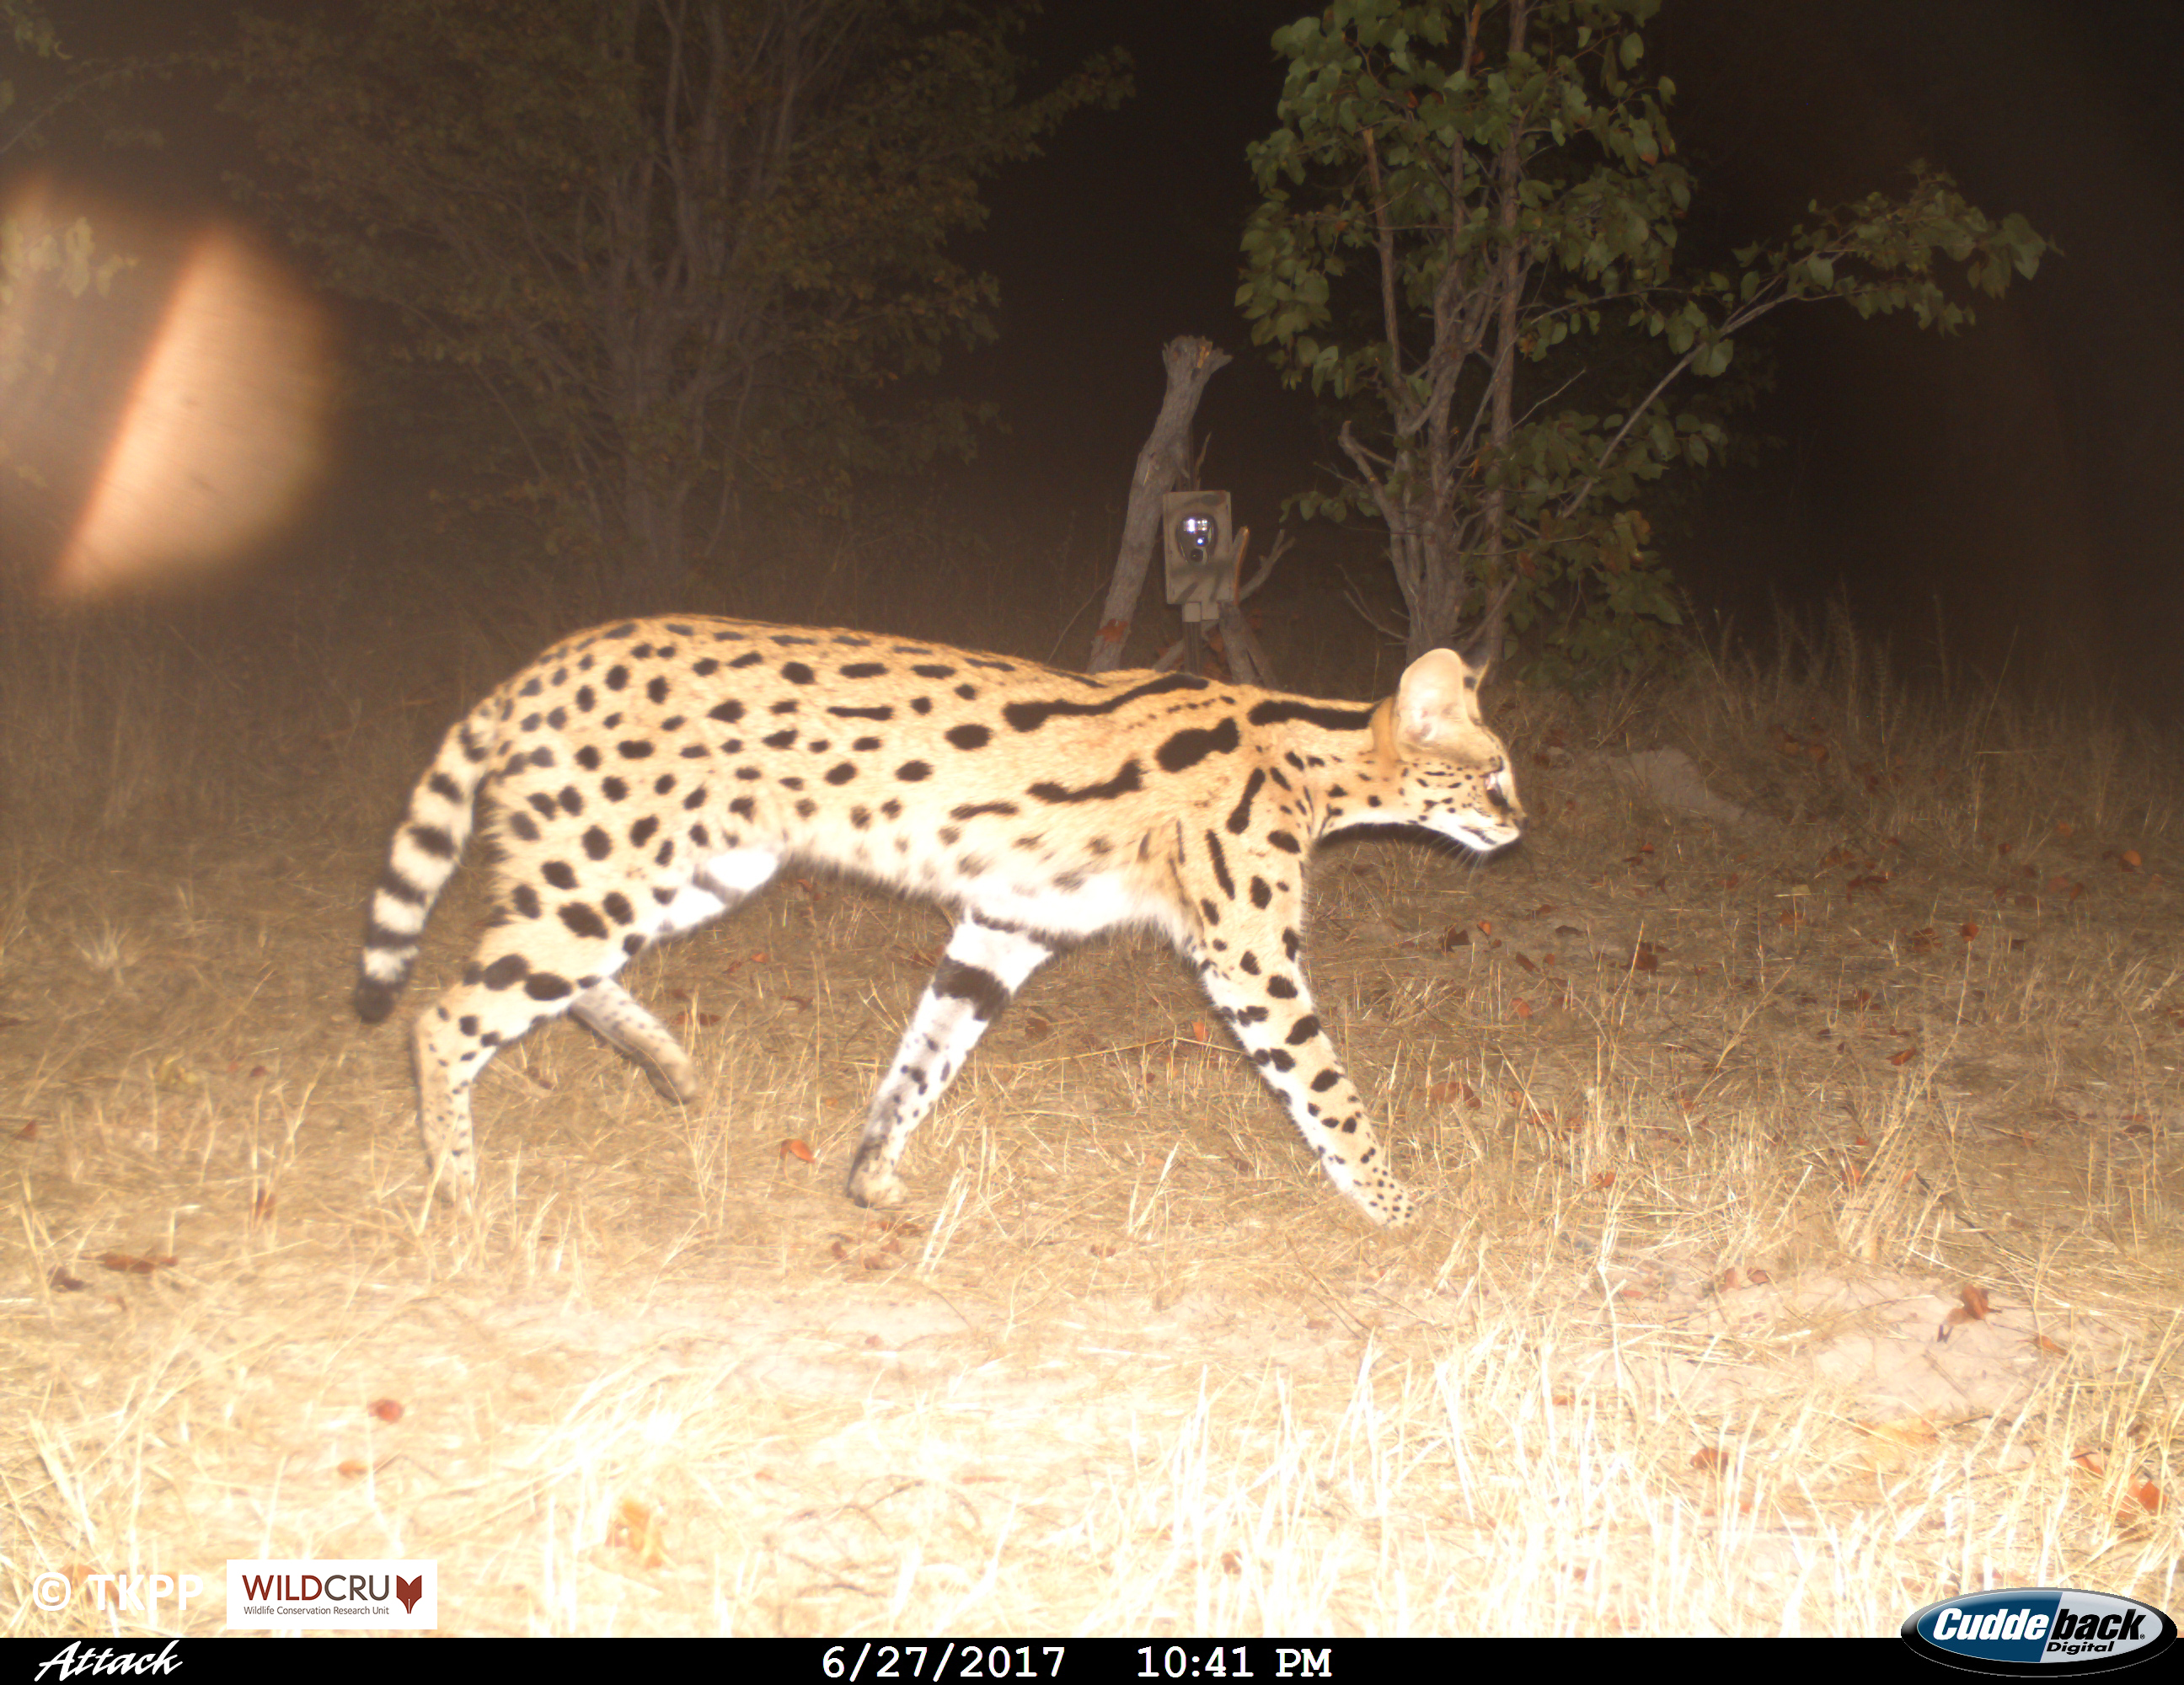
(2021, 483)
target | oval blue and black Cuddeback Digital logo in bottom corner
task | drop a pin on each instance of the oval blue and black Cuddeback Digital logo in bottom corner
(2039, 1632)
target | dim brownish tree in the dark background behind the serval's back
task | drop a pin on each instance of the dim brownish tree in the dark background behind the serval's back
(678, 237)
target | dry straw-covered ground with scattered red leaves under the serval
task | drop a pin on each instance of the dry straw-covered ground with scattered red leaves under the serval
(1803, 1245)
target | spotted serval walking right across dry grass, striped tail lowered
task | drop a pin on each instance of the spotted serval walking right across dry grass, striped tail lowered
(650, 776)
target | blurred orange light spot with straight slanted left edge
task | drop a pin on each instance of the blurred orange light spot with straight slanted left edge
(222, 433)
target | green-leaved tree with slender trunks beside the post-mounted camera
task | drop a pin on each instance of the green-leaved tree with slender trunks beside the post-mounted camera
(1464, 195)
